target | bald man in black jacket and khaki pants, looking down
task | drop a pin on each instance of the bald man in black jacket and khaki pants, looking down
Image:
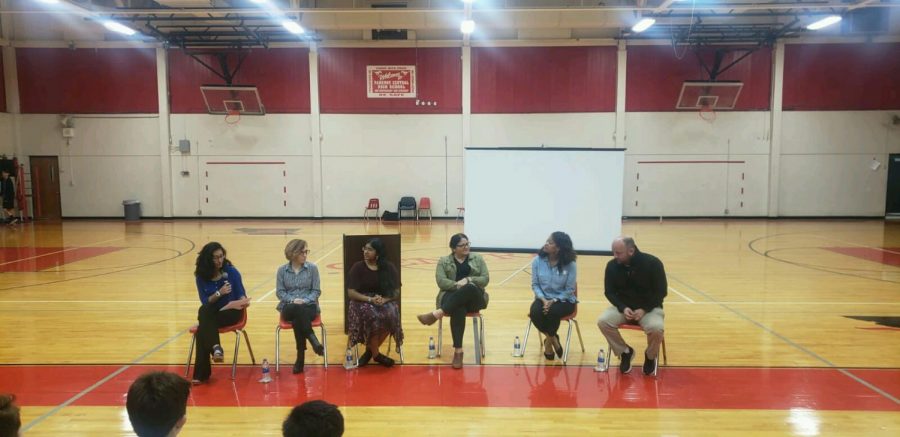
(635, 286)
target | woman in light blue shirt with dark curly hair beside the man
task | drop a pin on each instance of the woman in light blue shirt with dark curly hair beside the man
(553, 276)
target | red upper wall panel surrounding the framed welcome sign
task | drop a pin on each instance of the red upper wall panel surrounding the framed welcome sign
(342, 80)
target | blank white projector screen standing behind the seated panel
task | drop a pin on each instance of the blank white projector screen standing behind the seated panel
(516, 197)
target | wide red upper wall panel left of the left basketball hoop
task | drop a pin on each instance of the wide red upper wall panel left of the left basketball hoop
(87, 81)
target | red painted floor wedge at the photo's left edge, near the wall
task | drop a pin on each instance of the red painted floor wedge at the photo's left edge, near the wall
(35, 259)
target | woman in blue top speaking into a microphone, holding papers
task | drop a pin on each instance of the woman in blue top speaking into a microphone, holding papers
(223, 300)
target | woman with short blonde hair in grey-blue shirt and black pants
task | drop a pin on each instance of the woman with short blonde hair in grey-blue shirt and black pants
(298, 290)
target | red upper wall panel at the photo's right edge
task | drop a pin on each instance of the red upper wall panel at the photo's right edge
(830, 77)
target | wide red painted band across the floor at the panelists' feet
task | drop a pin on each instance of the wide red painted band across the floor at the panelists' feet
(486, 386)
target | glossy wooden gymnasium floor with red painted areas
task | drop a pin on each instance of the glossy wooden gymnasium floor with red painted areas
(783, 327)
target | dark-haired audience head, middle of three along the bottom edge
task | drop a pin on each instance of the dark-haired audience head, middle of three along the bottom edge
(156, 404)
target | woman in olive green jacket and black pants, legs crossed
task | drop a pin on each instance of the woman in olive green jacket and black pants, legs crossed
(461, 278)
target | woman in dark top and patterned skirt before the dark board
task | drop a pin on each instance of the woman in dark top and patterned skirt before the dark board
(373, 287)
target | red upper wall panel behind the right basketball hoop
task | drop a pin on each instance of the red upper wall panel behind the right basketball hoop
(655, 75)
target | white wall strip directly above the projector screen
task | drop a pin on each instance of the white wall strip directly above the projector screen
(593, 130)
